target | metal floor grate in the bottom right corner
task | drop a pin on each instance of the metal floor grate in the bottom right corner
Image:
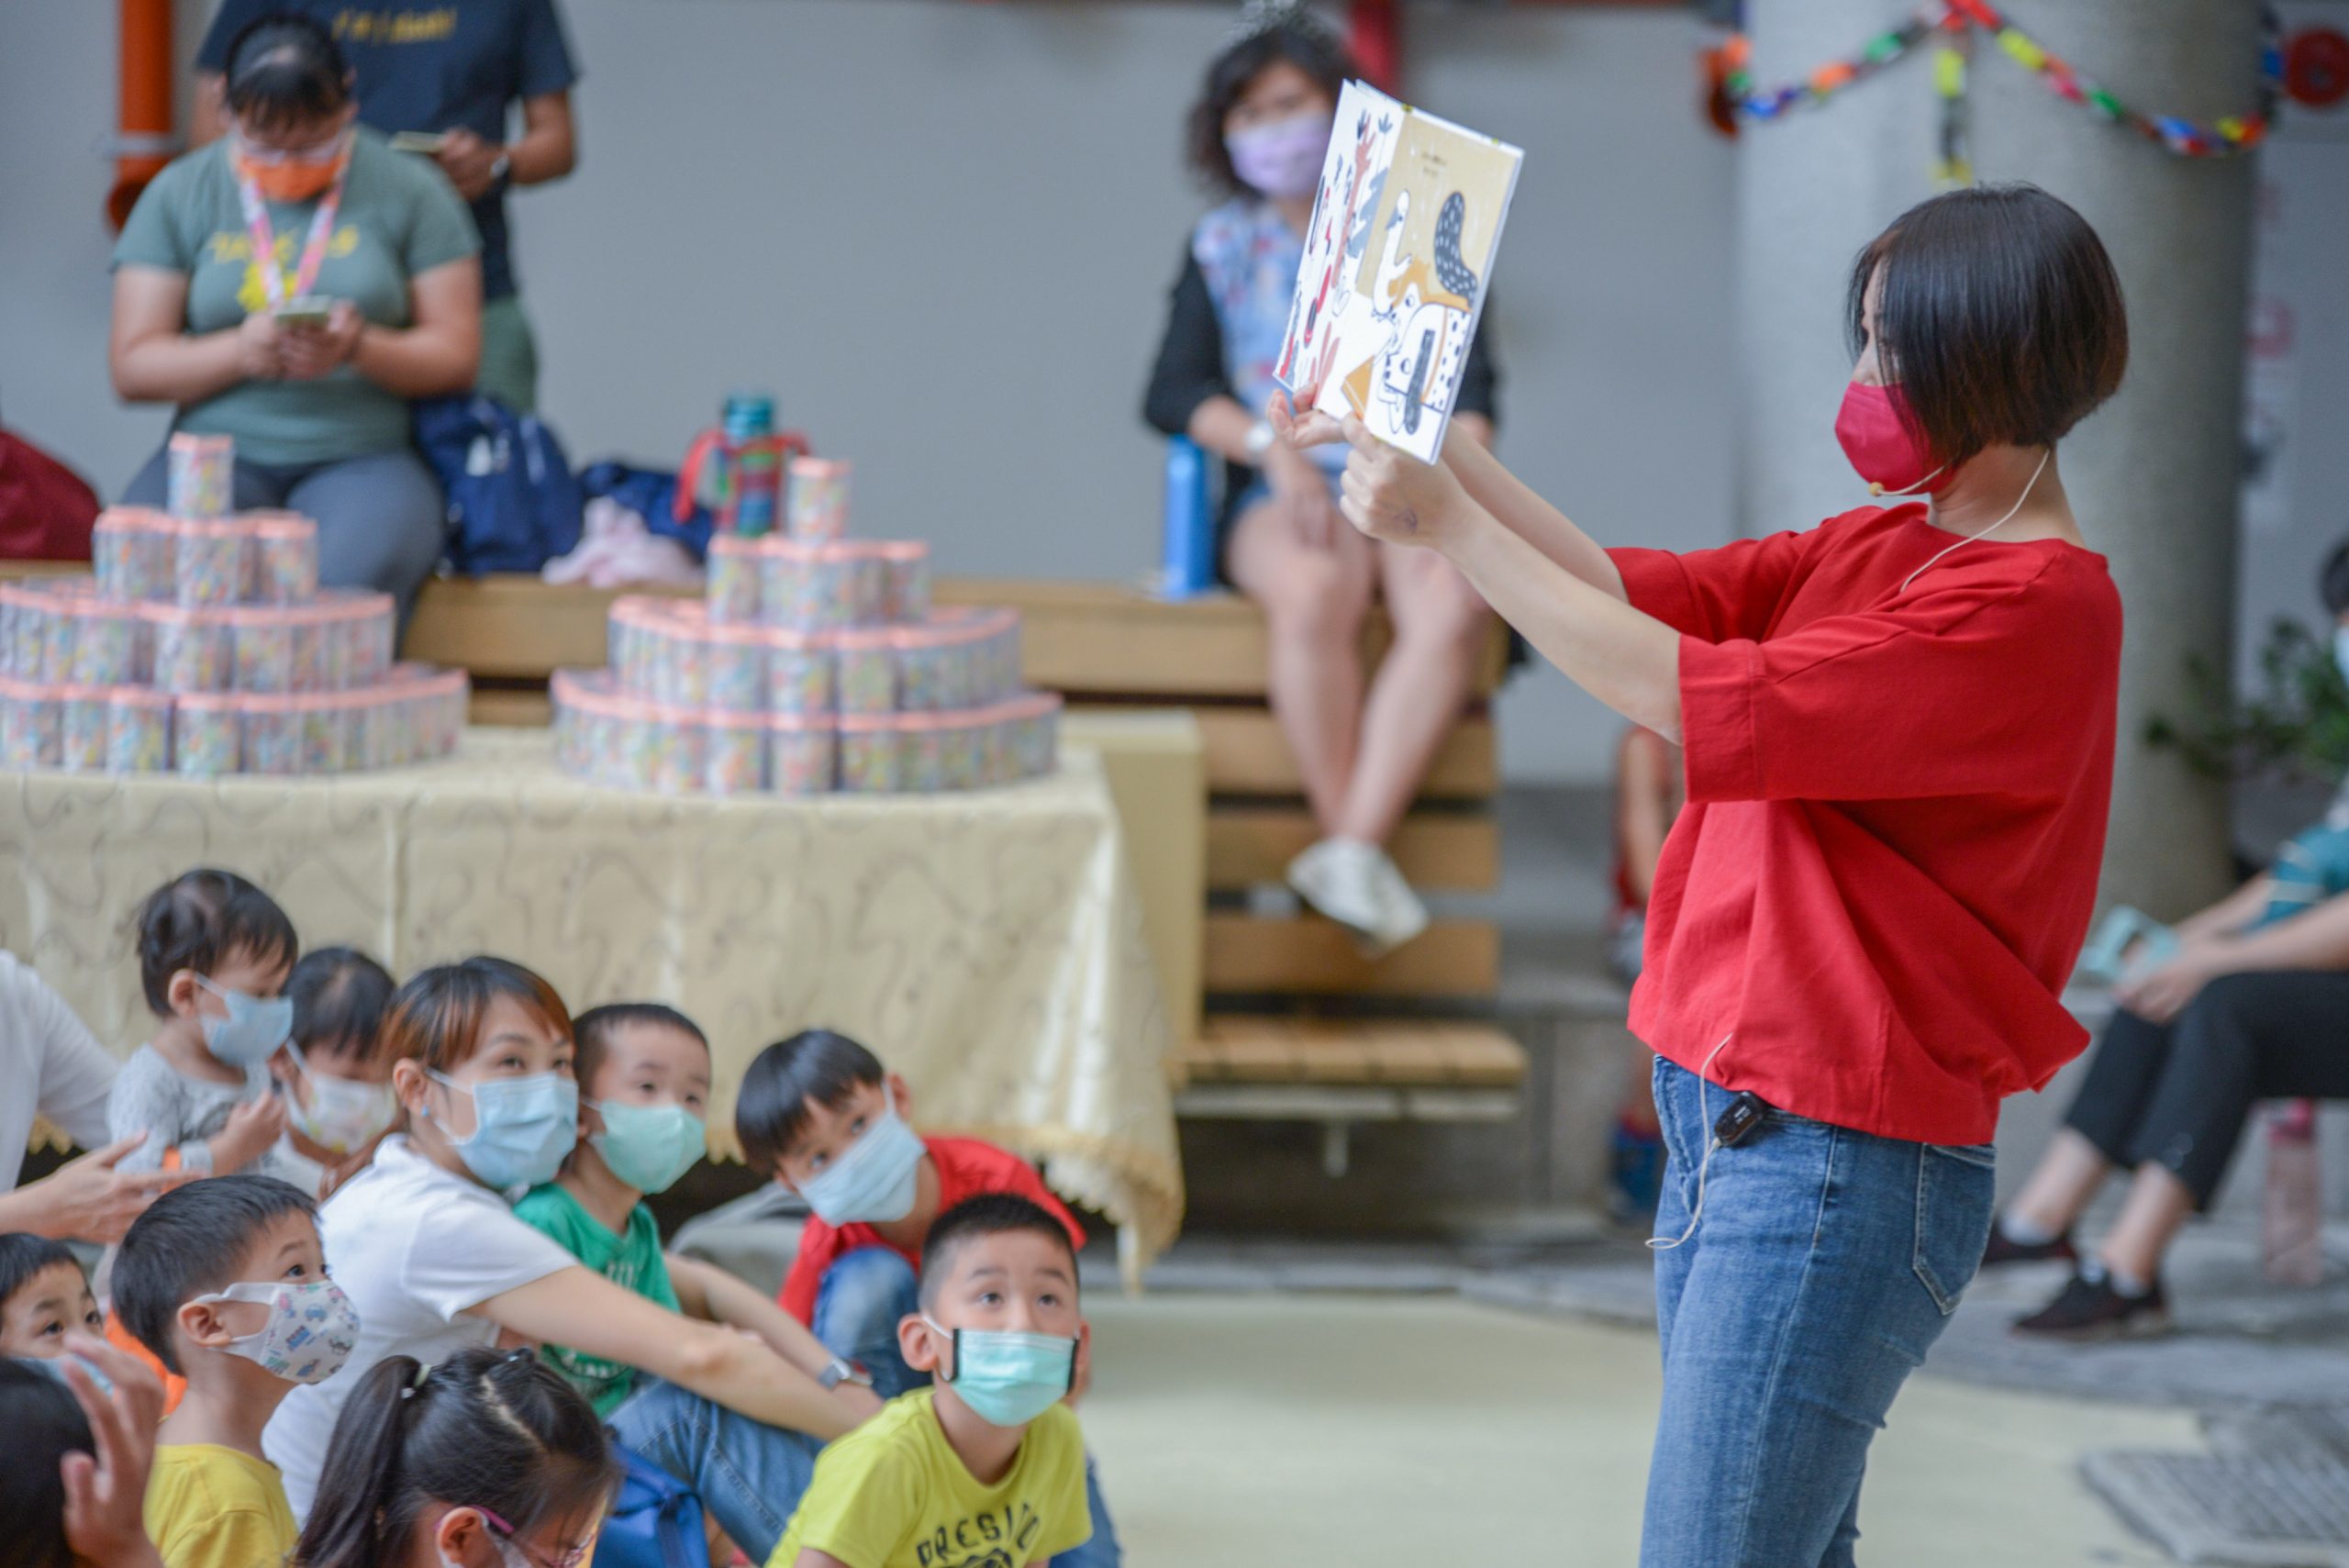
(2268, 1513)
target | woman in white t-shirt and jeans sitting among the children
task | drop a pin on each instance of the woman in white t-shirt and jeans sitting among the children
(431, 1255)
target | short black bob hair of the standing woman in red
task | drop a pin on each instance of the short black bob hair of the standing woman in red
(1998, 313)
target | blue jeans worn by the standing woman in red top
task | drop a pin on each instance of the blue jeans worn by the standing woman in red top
(1826, 1266)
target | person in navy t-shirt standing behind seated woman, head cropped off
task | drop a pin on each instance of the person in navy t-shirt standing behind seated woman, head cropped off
(452, 69)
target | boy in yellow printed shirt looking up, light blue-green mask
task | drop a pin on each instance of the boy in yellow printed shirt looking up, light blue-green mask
(988, 1466)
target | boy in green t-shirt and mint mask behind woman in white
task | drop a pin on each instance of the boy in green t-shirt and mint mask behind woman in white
(645, 1104)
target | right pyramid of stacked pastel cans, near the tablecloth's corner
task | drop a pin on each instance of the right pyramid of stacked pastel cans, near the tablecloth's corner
(812, 665)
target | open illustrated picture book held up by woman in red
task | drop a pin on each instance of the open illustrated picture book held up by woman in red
(1396, 269)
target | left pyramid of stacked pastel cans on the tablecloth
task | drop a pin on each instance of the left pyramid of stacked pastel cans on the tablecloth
(206, 647)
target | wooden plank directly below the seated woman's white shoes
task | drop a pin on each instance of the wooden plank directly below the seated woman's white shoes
(1258, 957)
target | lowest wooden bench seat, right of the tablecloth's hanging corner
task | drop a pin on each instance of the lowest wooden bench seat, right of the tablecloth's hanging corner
(1389, 1053)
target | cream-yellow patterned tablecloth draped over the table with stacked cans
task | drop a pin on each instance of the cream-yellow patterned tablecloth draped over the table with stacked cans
(990, 947)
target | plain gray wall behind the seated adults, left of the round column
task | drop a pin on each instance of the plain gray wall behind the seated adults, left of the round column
(945, 231)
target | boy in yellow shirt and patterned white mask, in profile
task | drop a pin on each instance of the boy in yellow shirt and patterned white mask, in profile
(227, 1283)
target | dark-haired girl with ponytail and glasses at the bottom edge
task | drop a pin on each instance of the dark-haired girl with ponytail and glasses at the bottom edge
(485, 1461)
